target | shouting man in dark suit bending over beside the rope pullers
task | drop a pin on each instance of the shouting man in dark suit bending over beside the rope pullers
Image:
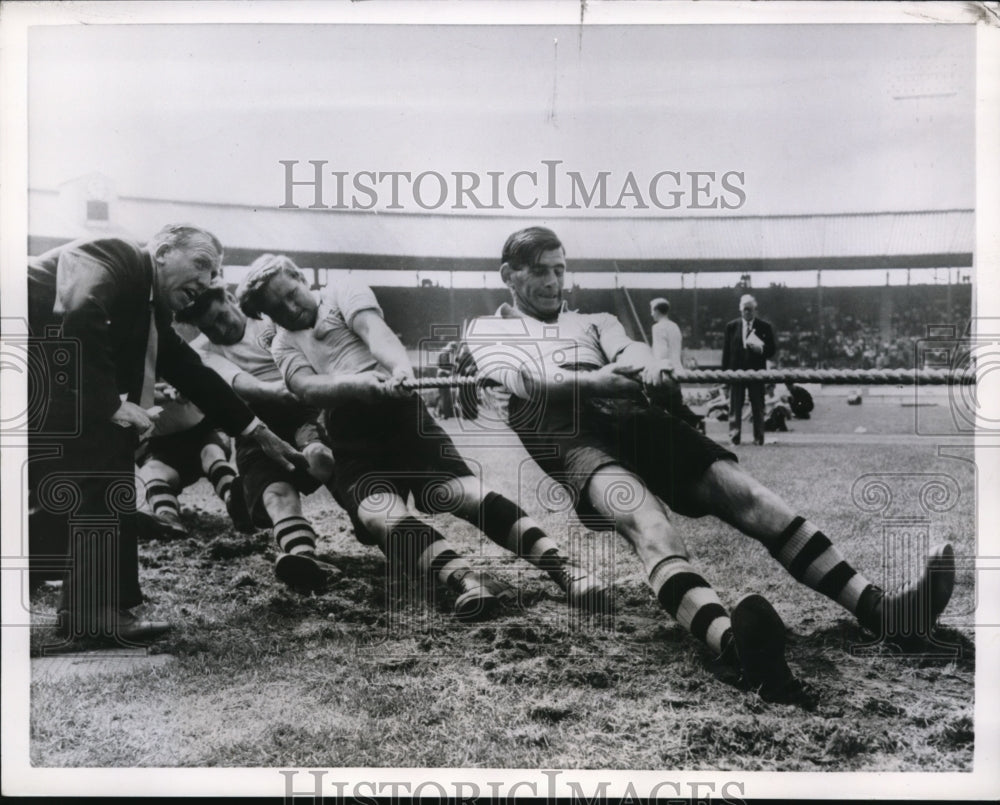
(112, 301)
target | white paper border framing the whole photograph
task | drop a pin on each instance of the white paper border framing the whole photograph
(20, 778)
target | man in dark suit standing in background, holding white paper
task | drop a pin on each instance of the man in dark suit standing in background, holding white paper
(748, 345)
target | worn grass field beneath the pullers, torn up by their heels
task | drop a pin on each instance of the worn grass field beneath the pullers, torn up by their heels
(359, 676)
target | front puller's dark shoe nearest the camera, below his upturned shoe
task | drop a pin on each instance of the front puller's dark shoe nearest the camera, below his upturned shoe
(759, 638)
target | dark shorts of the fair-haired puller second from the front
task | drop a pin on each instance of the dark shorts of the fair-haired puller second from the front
(390, 446)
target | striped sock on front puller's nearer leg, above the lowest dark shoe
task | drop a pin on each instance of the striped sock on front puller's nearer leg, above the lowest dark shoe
(691, 601)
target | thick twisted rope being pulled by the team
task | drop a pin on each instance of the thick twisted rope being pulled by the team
(854, 377)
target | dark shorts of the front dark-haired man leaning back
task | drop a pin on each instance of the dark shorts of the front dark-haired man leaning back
(668, 454)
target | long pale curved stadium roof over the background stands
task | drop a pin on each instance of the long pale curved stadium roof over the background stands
(472, 242)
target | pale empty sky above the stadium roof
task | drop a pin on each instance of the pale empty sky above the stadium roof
(818, 118)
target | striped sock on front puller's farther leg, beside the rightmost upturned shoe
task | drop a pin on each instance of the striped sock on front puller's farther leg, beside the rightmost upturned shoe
(811, 558)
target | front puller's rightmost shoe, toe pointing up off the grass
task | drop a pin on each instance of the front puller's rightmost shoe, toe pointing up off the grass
(907, 615)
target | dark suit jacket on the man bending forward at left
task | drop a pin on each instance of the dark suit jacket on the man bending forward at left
(103, 303)
